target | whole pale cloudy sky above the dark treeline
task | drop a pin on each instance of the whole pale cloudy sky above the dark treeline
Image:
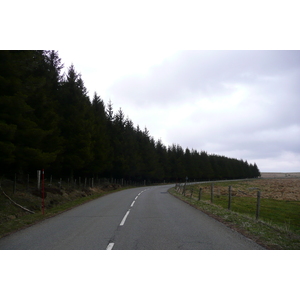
(241, 104)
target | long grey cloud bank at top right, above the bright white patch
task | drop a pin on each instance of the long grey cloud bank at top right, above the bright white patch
(203, 72)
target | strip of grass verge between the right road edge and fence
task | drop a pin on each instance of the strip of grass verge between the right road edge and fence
(269, 236)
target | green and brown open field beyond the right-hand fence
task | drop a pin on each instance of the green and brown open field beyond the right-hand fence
(280, 199)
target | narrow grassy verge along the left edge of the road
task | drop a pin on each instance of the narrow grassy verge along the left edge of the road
(27, 220)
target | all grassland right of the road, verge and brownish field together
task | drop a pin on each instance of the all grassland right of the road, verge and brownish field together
(278, 226)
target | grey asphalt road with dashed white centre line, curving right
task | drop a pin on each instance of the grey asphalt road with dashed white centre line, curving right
(135, 219)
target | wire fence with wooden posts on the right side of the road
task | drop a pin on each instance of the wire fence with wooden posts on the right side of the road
(246, 199)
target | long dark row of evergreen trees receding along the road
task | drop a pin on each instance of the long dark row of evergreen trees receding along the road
(47, 120)
